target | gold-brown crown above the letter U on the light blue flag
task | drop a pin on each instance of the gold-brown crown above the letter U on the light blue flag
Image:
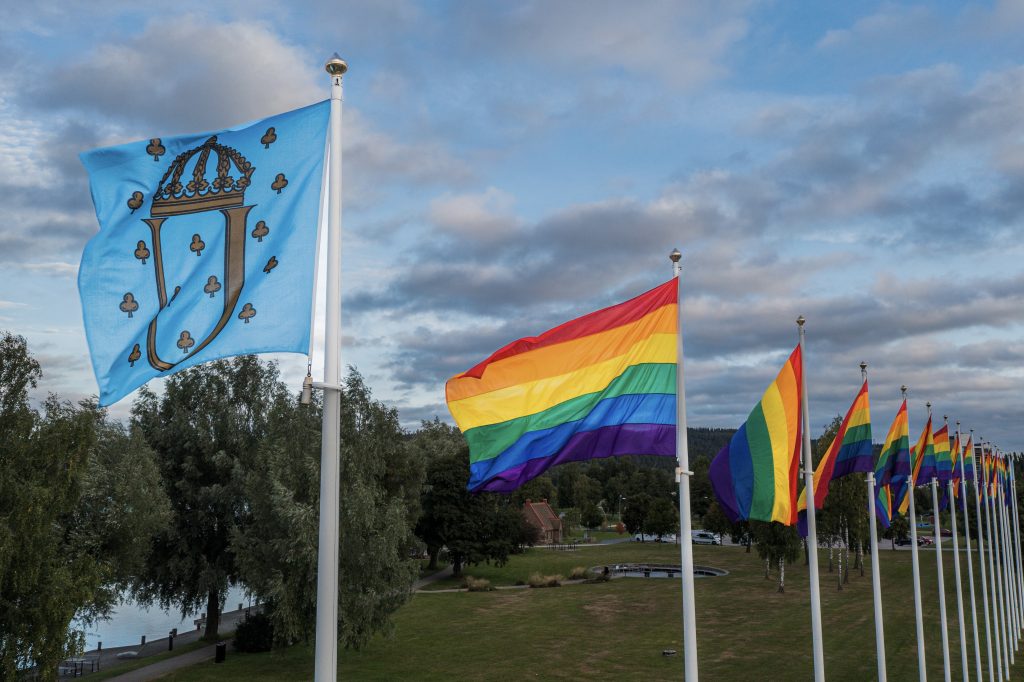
(226, 191)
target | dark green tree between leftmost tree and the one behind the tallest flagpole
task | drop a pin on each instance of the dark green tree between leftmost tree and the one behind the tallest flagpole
(207, 431)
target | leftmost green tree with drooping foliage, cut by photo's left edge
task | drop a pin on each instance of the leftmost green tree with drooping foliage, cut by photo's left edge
(79, 499)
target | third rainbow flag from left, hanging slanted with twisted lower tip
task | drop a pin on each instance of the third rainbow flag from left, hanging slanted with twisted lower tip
(849, 452)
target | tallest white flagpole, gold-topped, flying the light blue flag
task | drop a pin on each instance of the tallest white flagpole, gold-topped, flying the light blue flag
(326, 667)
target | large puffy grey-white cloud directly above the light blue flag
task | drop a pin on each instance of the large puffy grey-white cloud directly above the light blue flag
(188, 75)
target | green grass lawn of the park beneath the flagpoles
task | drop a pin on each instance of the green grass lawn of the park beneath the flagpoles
(618, 630)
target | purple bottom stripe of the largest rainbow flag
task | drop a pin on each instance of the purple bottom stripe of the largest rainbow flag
(657, 440)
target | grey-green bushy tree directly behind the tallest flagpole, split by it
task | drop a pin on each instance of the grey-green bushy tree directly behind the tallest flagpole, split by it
(277, 552)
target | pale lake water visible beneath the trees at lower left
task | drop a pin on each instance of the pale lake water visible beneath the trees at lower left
(131, 622)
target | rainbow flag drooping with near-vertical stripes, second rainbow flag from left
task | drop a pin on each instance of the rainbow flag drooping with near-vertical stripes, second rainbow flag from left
(755, 477)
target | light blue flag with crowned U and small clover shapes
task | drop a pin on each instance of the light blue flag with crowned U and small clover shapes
(206, 248)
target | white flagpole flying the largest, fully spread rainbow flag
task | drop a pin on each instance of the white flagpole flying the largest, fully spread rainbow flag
(684, 475)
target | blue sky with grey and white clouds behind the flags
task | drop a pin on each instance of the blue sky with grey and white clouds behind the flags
(509, 166)
